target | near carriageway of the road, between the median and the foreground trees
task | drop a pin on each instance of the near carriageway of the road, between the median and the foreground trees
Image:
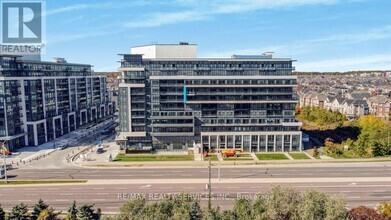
(110, 197)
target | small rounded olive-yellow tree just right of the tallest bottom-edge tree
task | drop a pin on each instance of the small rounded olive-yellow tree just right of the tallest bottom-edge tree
(312, 205)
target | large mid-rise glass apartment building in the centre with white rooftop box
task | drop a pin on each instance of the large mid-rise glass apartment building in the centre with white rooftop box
(170, 99)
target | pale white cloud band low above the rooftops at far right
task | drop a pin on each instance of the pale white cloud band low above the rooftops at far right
(371, 62)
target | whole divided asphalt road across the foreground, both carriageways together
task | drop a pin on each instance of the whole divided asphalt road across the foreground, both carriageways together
(362, 183)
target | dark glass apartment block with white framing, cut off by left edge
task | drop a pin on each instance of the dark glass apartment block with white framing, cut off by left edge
(40, 101)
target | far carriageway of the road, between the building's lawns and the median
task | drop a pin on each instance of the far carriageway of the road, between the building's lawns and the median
(382, 169)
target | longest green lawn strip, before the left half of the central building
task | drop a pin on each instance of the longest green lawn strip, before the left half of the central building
(139, 158)
